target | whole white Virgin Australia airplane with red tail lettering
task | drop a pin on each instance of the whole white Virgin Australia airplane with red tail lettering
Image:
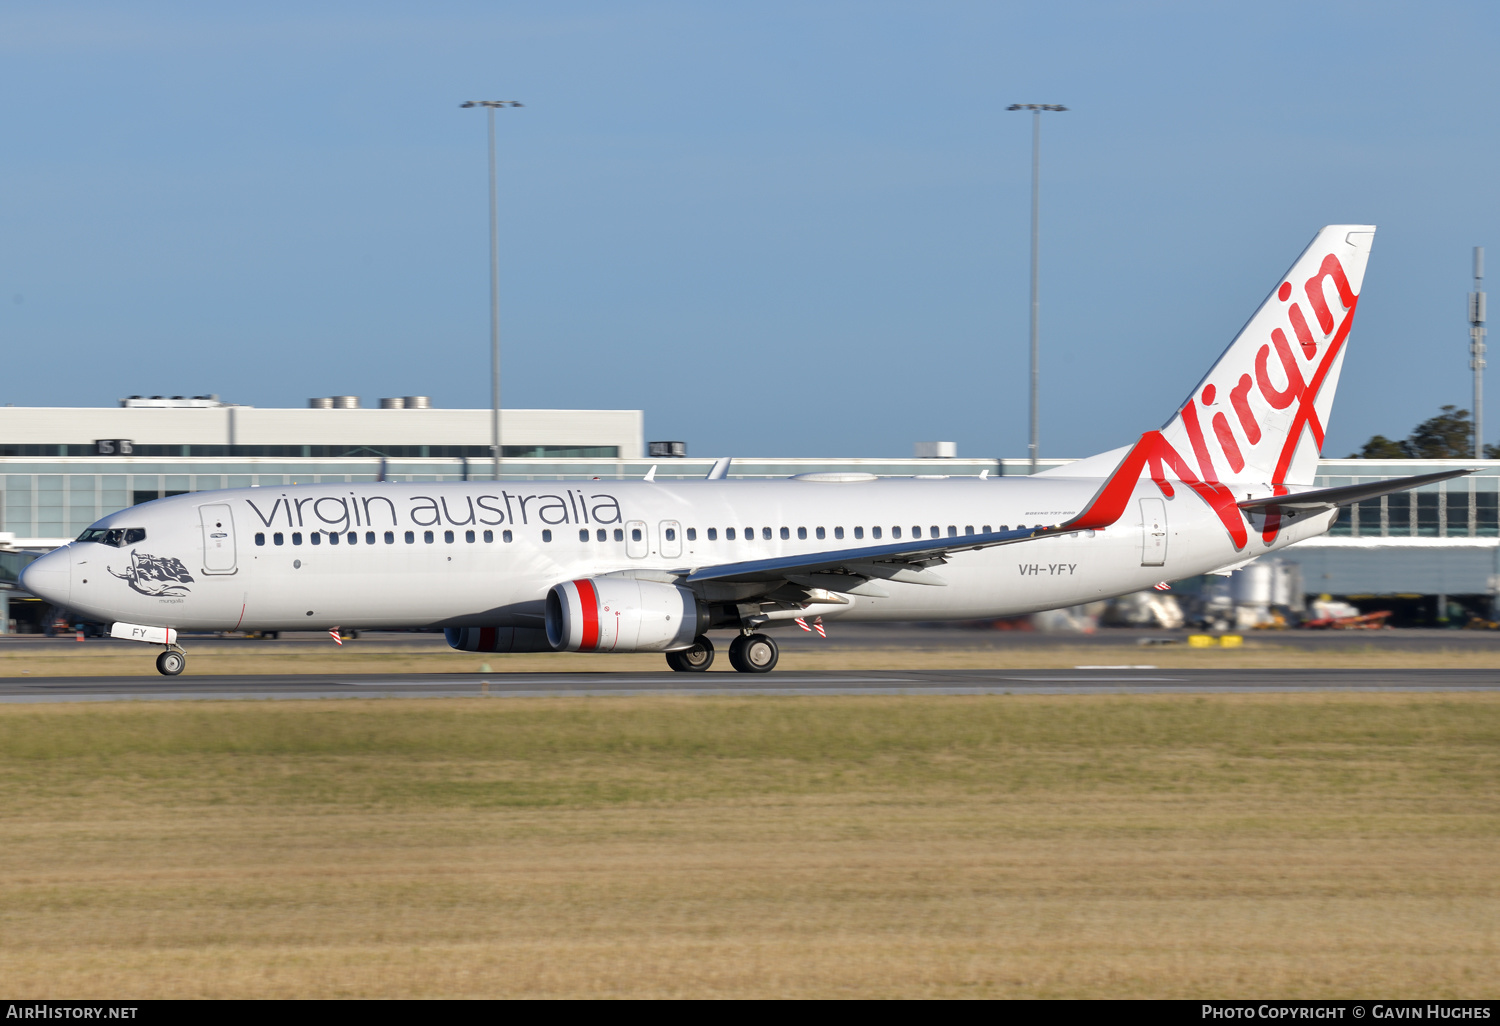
(650, 566)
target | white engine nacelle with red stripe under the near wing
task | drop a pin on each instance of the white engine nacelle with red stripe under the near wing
(623, 616)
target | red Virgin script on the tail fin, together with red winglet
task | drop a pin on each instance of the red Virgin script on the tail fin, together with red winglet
(1286, 377)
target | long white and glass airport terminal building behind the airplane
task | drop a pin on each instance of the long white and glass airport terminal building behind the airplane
(64, 469)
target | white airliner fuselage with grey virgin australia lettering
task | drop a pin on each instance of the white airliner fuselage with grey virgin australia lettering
(368, 556)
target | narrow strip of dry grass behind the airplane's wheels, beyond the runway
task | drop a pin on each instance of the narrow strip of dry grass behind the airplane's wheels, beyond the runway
(374, 658)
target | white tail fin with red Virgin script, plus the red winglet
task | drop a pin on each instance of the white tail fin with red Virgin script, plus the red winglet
(1259, 398)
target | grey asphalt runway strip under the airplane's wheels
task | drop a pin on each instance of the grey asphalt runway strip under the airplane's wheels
(1105, 680)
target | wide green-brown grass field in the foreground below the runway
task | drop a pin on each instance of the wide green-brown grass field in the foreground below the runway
(1310, 845)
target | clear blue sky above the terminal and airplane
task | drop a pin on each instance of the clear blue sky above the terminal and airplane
(779, 229)
